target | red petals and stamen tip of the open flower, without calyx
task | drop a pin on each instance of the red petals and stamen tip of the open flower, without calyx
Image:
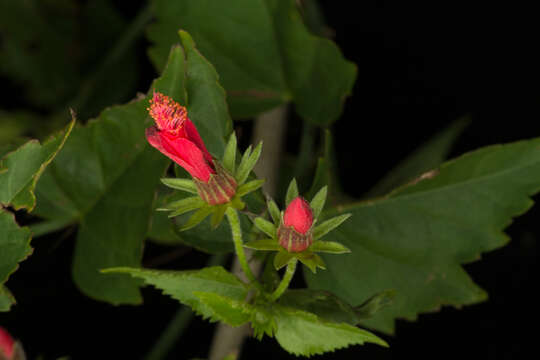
(177, 137)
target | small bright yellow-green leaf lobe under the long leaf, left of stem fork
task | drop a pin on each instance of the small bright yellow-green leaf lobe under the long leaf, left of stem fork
(227, 310)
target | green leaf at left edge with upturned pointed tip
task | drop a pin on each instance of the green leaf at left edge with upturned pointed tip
(21, 169)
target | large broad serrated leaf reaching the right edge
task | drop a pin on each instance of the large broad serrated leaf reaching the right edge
(415, 239)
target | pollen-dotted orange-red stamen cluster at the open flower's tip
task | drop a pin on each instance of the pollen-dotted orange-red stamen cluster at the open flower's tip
(167, 113)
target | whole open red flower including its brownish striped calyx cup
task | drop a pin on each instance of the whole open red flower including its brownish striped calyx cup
(177, 138)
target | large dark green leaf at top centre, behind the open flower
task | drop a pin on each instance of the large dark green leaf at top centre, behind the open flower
(255, 48)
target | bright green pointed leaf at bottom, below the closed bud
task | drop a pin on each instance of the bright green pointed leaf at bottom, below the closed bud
(303, 333)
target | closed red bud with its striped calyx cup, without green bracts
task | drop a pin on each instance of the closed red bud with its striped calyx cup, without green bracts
(294, 234)
